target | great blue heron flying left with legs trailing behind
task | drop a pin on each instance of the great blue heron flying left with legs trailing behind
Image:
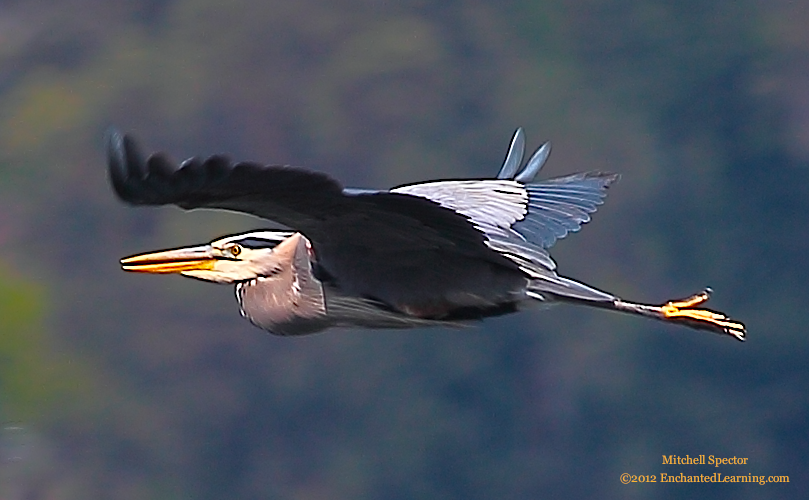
(433, 253)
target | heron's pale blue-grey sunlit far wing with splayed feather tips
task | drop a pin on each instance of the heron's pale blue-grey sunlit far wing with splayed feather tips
(522, 219)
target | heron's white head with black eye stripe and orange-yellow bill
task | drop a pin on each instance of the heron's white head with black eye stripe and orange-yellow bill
(227, 260)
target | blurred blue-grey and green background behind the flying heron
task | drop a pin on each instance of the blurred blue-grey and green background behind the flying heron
(124, 386)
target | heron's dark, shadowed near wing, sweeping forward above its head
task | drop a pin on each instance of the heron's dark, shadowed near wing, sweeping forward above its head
(407, 251)
